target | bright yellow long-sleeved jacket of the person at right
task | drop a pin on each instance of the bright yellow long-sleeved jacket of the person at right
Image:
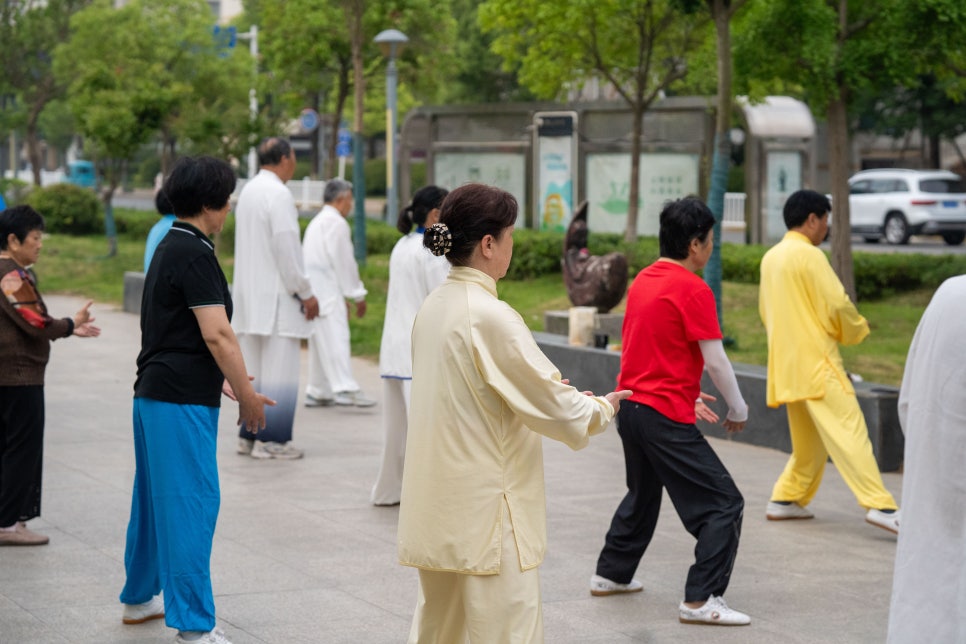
(806, 314)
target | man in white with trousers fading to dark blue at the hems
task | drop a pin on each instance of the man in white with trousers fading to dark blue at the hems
(272, 296)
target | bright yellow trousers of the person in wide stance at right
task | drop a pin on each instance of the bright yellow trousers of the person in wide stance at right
(831, 426)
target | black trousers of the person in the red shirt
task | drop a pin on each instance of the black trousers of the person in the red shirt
(662, 454)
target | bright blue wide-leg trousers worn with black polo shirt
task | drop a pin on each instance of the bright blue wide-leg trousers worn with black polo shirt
(173, 511)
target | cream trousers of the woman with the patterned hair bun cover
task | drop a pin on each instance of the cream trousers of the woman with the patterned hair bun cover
(453, 608)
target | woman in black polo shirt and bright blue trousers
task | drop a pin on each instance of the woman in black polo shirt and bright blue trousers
(189, 356)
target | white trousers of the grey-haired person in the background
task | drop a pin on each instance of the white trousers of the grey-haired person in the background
(330, 365)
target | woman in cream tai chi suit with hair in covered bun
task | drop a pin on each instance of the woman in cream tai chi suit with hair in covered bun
(473, 512)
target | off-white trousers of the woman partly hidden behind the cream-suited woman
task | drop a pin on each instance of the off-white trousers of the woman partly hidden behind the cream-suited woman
(395, 422)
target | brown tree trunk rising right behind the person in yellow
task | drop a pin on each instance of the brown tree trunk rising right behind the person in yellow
(838, 165)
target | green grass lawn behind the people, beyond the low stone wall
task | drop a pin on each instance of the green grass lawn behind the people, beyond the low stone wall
(79, 266)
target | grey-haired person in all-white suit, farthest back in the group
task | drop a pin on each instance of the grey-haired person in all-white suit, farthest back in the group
(329, 260)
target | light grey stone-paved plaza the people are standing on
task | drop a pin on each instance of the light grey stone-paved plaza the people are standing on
(301, 556)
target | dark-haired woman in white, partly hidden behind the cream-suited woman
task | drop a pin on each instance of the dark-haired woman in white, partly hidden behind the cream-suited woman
(413, 272)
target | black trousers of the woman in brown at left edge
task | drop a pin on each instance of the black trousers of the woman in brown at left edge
(21, 452)
